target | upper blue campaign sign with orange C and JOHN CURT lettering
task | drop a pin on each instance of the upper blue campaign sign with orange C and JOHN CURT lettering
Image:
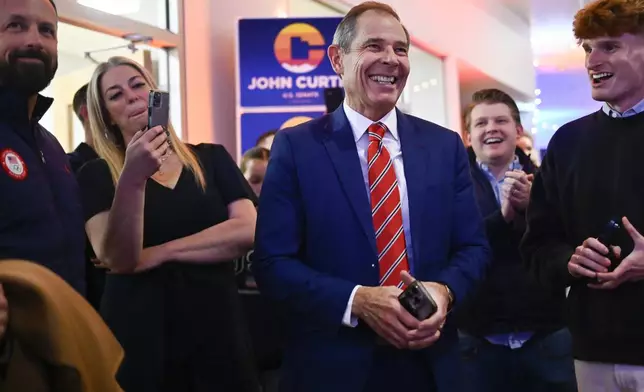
(283, 62)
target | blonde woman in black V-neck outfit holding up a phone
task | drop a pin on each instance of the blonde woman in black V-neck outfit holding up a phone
(166, 218)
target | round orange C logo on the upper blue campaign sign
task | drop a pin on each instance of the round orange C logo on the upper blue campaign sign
(299, 48)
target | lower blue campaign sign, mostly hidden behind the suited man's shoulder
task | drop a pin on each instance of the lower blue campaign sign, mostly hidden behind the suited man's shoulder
(254, 124)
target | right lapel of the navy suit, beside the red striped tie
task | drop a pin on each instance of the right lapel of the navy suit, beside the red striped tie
(415, 158)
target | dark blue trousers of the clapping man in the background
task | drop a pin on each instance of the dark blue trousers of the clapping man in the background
(541, 365)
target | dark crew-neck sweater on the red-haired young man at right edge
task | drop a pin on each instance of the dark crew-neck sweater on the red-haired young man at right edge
(591, 173)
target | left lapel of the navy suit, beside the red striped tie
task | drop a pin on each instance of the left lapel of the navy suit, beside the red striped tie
(341, 147)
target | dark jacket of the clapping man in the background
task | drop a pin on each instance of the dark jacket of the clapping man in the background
(510, 299)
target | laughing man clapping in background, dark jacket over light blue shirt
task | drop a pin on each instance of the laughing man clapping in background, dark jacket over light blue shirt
(512, 334)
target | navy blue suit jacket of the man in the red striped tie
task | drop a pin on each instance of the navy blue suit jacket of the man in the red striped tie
(315, 241)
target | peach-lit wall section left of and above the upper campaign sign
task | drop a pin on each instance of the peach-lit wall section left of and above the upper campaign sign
(210, 58)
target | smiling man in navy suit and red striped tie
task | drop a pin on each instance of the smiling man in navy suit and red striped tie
(351, 202)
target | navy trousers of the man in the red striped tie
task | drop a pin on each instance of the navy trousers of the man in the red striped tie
(399, 370)
